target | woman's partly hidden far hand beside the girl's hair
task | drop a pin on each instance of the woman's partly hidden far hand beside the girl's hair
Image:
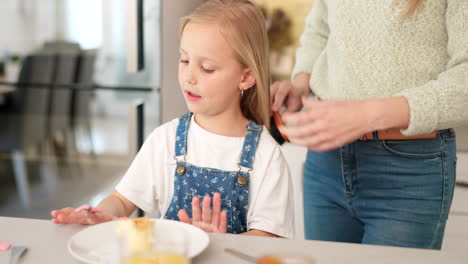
(289, 93)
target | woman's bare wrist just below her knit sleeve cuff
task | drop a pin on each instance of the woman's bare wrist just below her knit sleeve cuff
(387, 113)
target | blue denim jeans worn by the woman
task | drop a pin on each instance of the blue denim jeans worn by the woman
(383, 192)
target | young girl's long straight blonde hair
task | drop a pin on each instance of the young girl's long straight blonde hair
(243, 26)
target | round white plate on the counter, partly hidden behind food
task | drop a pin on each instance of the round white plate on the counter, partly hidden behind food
(98, 243)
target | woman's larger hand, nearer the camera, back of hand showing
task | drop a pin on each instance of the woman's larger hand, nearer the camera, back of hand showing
(326, 125)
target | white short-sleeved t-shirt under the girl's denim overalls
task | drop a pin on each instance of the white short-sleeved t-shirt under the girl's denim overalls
(149, 182)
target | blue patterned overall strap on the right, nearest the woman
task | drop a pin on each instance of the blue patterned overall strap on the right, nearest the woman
(249, 147)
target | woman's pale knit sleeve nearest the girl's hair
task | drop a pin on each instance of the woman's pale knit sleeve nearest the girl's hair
(314, 38)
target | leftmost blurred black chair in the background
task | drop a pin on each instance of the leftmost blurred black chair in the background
(25, 126)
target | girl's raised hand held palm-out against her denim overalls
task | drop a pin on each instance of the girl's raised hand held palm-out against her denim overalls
(210, 221)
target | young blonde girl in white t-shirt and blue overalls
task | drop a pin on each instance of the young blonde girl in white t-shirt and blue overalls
(220, 153)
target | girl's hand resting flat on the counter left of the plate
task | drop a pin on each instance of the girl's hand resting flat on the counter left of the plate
(85, 217)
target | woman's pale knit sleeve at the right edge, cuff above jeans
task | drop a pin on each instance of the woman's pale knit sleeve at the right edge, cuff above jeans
(442, 103)
